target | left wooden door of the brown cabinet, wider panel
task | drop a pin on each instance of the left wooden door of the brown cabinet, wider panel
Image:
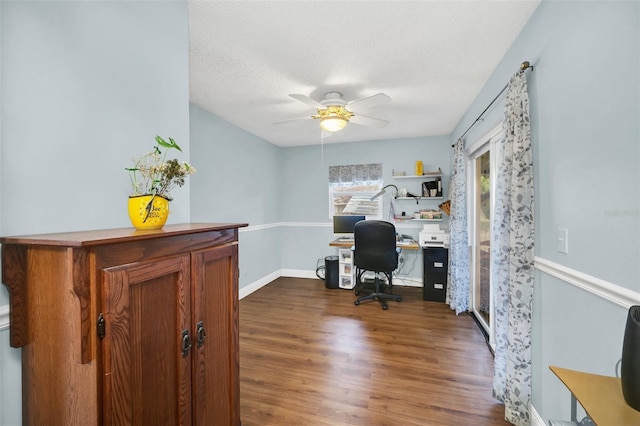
(147, 378)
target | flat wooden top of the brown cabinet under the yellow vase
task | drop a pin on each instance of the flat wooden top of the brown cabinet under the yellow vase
(112, 236)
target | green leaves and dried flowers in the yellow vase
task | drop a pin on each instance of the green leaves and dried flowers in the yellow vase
(153, 174)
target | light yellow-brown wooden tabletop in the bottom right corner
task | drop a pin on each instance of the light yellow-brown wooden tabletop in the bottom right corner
(600, 396)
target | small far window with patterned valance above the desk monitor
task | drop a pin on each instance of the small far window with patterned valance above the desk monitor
(351, 188)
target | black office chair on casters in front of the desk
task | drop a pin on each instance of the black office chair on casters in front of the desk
(375, 250)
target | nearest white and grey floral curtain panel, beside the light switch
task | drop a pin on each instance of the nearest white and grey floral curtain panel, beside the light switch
(512, 251)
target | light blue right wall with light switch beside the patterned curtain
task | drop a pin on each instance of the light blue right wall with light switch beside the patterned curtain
(585, 112)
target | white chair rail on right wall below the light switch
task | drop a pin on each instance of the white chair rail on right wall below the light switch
(613, 293)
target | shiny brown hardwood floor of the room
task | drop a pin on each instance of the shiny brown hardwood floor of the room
(308, 356)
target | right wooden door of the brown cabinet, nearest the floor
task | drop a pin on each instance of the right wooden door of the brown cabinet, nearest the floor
(216, 390)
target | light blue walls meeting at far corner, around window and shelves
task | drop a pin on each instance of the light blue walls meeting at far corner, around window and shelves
(282, 193)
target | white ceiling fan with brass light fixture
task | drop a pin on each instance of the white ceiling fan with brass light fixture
(334, 112)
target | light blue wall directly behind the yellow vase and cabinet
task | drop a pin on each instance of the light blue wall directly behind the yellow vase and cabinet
(85, 86)
